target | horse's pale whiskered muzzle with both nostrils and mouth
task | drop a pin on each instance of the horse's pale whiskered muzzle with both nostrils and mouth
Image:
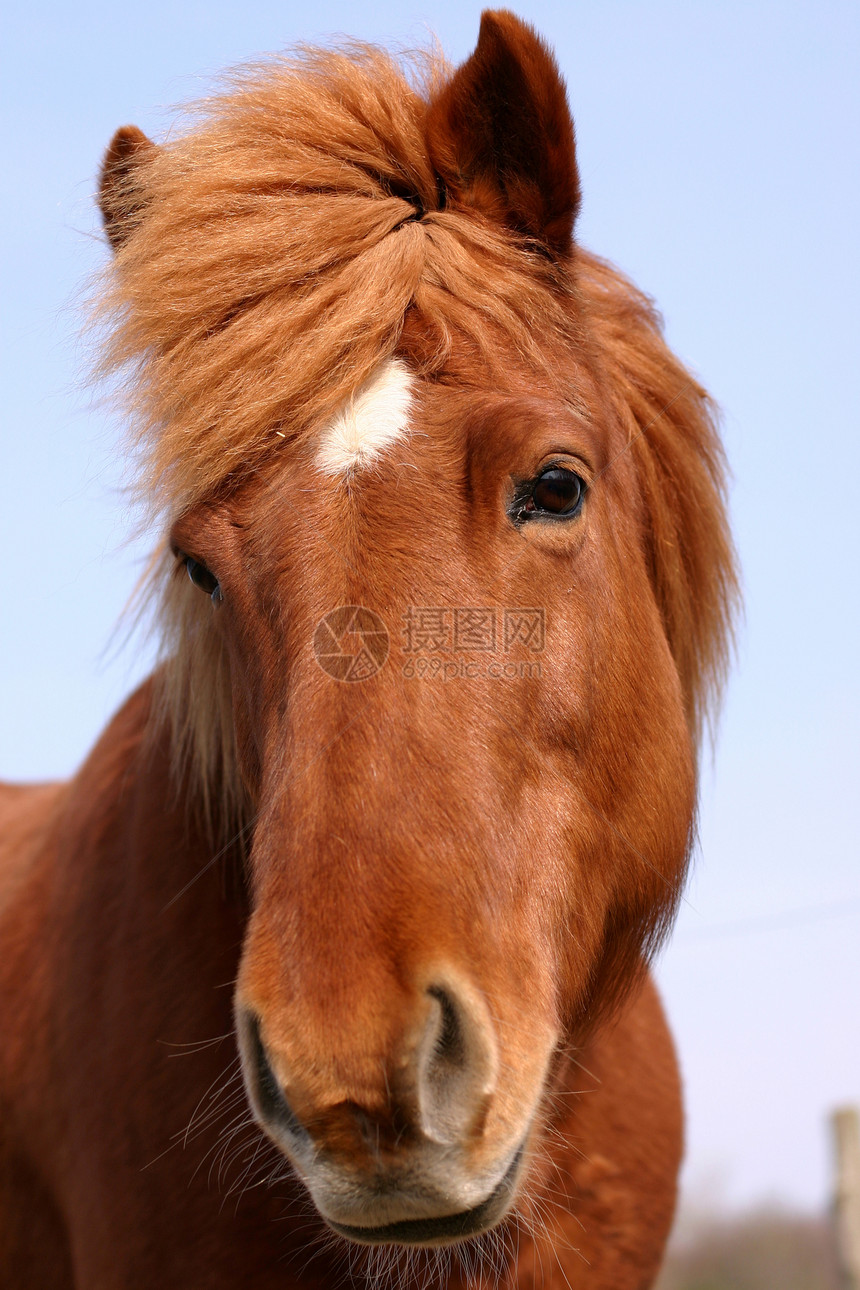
(421, 1162)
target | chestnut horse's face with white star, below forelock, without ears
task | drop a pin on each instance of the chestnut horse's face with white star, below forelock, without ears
(473, 791)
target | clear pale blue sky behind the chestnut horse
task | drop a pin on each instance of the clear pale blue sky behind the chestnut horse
(719, 149)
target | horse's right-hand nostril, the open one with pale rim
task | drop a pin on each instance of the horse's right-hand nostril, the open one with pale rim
(458, 1064)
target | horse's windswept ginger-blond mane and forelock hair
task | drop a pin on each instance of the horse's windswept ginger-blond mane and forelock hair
(275, 266)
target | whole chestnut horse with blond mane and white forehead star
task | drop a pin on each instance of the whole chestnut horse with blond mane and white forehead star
(331, 966)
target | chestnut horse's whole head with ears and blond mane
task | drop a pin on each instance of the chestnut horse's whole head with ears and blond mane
(445, 588)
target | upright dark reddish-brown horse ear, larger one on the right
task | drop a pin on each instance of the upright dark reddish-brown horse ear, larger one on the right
(501, 136)
